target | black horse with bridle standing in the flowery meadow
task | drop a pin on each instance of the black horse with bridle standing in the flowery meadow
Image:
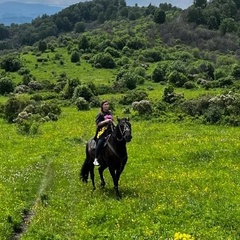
(113, 156)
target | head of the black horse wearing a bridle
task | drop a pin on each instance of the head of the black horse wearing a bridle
(125, 129)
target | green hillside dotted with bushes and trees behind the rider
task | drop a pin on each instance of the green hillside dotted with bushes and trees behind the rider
(134, 57)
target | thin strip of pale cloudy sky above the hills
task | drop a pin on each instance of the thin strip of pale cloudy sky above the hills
(66, 3)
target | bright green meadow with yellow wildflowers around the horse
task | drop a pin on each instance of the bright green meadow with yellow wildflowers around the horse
(180, 178)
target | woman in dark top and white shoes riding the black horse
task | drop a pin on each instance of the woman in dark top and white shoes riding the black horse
(104, 124)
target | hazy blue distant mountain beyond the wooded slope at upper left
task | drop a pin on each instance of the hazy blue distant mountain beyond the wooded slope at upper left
(15, 12)
